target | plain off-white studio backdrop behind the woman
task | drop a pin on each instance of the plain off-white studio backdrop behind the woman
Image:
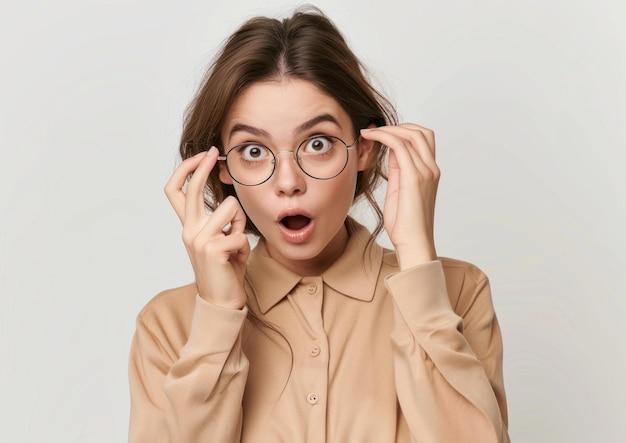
(528, 101)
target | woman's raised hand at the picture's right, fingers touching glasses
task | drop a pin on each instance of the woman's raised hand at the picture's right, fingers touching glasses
(409, 210)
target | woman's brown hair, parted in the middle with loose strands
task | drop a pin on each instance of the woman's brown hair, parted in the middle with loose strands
(306, 46)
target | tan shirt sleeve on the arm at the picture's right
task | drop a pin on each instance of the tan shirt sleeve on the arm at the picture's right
(448, 365)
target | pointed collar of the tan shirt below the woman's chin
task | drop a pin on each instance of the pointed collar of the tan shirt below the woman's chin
(354, 274)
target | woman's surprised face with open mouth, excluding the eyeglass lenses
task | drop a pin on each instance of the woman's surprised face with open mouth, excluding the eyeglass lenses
(301, 218)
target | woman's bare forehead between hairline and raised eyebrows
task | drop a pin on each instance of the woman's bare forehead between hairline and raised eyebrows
(278, 108)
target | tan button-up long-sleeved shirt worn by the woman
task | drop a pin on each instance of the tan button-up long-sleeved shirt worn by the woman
(362, 353)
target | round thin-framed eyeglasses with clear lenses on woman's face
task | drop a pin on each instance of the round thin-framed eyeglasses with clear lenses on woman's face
(321, 157)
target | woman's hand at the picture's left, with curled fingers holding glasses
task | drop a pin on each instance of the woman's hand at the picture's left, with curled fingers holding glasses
(218, 256)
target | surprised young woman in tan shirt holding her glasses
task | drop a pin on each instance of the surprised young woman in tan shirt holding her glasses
(318, 334)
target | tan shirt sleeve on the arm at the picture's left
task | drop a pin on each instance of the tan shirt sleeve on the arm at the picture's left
(187, 375)
